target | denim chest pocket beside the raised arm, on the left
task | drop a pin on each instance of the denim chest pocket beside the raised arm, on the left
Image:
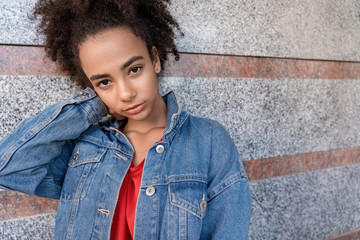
(82, 167)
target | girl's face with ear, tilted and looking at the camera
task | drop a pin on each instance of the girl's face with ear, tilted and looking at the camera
(122, 72)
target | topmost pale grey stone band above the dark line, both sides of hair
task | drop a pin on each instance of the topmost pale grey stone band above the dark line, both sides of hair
(323, 29)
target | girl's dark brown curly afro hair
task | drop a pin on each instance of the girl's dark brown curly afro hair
(67, 23)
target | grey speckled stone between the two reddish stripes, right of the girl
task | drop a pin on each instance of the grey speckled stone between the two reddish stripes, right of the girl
(282, 117)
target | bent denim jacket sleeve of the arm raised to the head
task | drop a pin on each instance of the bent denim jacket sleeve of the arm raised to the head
(33, 158)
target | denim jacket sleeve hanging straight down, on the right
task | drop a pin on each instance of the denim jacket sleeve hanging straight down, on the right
(228, 209)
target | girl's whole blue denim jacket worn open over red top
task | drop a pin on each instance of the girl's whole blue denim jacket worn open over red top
(193, 186)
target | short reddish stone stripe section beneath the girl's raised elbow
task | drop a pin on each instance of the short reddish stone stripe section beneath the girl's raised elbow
(17, 205)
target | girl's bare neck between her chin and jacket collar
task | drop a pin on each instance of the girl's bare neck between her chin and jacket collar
(157, 119)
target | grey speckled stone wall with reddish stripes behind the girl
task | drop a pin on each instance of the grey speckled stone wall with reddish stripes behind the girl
(282, 76)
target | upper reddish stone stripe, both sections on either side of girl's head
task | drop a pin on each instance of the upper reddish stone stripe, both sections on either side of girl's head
(25, 60)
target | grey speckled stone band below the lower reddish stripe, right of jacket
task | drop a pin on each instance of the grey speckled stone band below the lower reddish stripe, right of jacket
(314, 205)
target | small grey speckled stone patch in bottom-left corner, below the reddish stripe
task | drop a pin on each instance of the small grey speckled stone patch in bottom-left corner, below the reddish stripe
(35, 228)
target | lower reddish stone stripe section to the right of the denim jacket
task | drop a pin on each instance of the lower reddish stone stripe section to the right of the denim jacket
(264, 168)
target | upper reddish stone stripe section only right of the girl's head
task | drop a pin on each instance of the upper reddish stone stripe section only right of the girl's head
(261, 67)
